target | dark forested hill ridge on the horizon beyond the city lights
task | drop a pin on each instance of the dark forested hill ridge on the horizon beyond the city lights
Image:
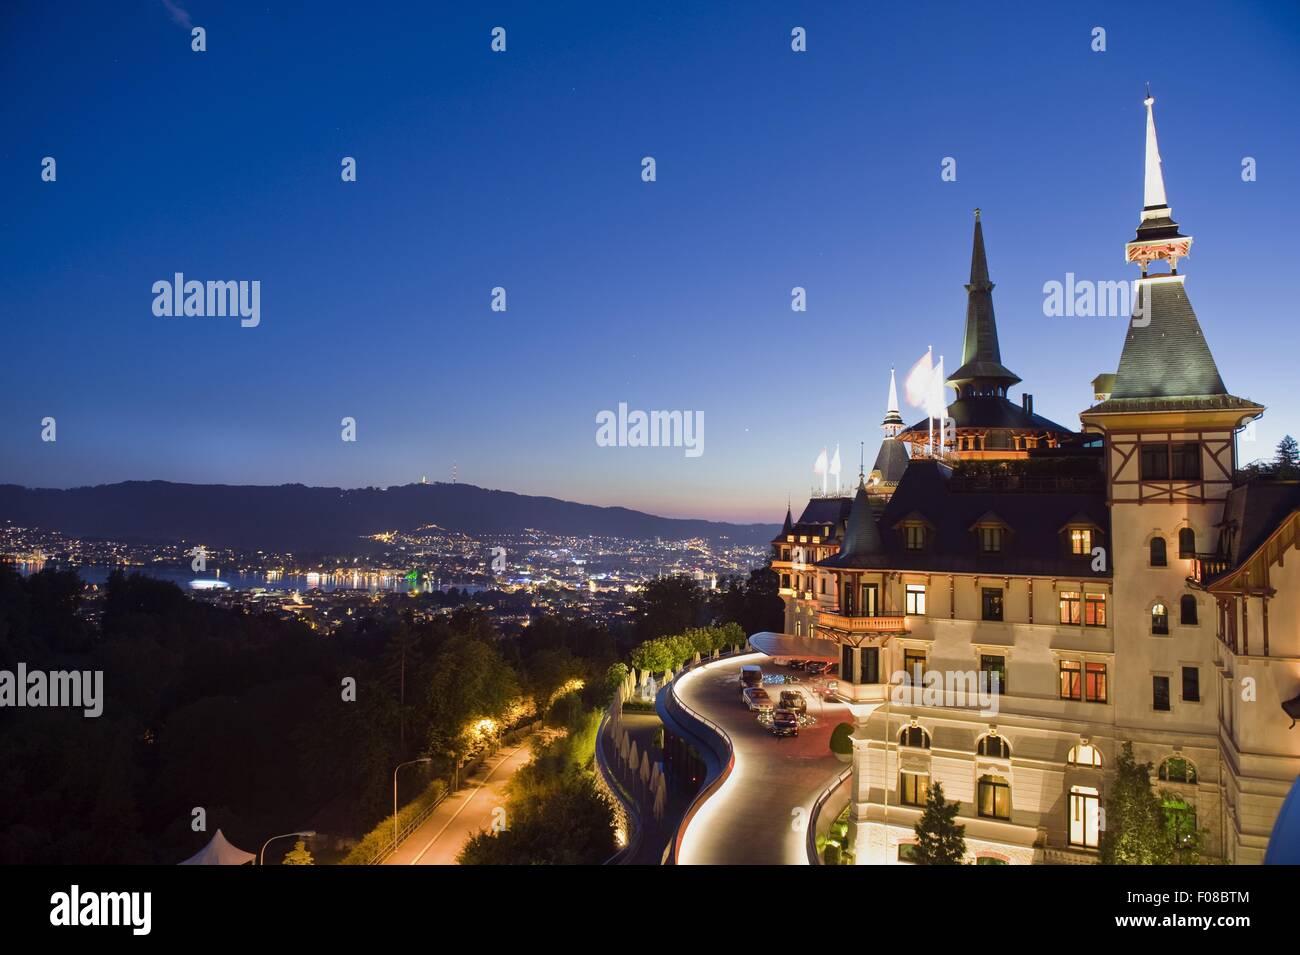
(296, 518)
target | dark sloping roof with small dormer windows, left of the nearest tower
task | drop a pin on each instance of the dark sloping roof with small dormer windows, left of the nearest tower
(1033, 546)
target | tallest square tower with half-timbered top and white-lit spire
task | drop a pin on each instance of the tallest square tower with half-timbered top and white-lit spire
(1169, 433)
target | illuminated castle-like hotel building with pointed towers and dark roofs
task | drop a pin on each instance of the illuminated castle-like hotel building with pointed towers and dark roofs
(1119, 584)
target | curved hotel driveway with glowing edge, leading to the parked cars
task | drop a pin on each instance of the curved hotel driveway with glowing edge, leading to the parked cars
(760, 815)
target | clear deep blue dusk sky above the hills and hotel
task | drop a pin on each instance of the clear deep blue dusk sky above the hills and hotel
(523, 171)
